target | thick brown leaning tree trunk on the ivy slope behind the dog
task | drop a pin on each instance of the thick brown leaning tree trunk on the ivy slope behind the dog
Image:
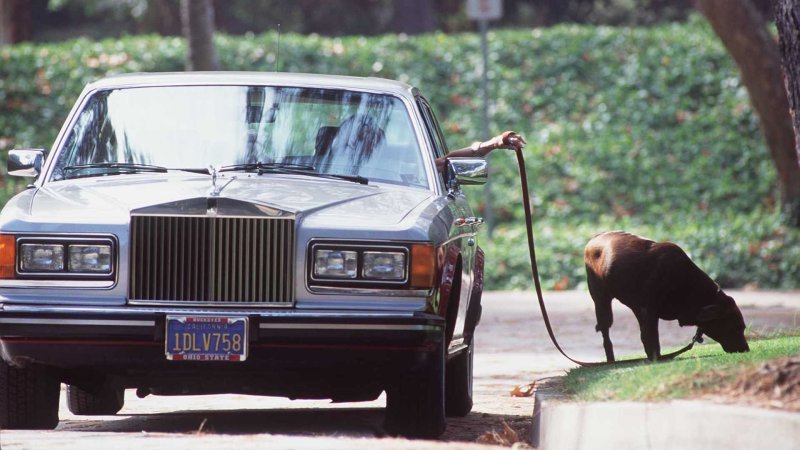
(743, 31)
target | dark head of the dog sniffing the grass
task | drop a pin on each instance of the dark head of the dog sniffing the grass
(723, 322)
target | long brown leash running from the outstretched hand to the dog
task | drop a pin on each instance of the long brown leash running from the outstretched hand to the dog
(698, 337)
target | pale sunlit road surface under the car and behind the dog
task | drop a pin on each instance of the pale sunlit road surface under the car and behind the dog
(512, 349)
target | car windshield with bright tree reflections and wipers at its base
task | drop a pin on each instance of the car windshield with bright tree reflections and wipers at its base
(193, 127)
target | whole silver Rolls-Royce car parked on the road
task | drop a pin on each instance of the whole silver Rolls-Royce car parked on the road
(270, 234)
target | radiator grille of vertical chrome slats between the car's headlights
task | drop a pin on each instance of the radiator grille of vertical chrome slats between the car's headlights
(220, 260)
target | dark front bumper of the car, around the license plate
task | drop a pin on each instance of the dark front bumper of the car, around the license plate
(131, 339)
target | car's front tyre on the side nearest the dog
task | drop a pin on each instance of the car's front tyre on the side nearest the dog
(415, 404)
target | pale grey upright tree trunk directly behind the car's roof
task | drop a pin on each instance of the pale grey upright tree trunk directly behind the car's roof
(198, 29)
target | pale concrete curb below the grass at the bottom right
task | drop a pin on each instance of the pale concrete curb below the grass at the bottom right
(680, 424)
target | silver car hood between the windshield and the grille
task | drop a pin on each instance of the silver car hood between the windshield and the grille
(117, 197)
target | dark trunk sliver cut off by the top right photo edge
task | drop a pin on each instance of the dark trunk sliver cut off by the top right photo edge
(787, 17)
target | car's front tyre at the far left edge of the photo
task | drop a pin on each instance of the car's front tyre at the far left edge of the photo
(28, 398)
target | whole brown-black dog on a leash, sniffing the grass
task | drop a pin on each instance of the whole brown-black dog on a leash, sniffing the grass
(657, 280)
